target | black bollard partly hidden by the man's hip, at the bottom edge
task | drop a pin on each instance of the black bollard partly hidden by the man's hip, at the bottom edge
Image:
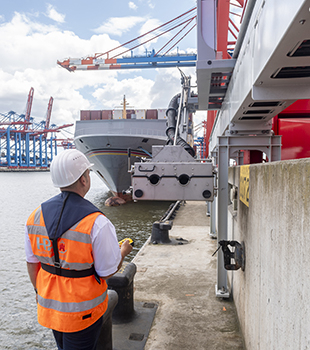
(105, 337)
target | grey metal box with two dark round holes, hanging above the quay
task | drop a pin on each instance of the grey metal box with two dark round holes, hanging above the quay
(173, 174)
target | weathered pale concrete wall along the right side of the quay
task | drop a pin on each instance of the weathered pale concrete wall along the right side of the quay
(272, 294)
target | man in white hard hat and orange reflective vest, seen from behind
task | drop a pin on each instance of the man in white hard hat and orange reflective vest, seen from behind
(71, 249)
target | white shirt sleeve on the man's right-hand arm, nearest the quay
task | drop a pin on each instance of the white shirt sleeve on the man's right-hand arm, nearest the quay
(106, 251)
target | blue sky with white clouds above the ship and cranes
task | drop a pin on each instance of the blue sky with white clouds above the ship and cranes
(34, 34)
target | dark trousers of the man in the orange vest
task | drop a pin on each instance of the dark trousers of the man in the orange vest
(82, 340)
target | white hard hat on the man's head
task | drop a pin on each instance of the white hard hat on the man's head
(68, 167)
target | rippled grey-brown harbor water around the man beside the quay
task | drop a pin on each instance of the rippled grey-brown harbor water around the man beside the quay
(21, 193)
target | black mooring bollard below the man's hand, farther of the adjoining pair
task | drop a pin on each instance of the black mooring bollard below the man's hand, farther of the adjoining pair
(122, 283)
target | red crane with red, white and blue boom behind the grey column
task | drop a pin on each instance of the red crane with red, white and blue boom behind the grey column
(229, 16)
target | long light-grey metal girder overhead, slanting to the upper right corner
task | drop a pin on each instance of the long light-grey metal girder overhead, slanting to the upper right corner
(275, 28)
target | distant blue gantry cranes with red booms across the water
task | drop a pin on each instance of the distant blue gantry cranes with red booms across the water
(26, 144)
